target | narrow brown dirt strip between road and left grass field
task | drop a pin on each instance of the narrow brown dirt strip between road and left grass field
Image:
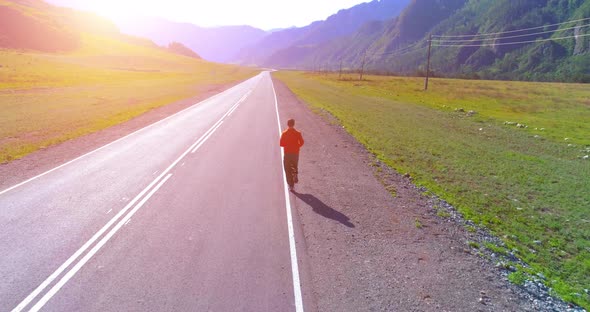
(46, 159)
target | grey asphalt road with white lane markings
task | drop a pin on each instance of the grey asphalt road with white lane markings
(187, 214)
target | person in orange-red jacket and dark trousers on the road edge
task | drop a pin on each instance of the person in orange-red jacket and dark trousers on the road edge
(291, 140)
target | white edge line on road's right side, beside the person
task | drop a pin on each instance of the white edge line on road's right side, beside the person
(292, 246)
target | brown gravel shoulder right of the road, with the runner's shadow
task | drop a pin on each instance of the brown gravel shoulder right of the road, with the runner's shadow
(370, 251)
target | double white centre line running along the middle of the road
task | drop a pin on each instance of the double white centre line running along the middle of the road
(122, 217)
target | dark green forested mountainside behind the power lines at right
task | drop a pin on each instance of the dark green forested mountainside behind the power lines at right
(548, 49)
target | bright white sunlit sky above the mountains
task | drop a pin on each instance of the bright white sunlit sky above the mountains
(263, 14)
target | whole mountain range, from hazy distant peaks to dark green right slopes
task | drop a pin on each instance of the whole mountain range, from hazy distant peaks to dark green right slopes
(392, 36)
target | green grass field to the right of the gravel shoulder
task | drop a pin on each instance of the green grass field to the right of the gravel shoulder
(530, 185)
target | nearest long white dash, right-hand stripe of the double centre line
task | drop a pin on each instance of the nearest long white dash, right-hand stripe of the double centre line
(94, 250)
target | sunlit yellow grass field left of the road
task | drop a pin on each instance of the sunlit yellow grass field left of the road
(49, 98)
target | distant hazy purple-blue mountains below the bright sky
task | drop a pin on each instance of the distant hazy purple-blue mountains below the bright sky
(249, 45)
